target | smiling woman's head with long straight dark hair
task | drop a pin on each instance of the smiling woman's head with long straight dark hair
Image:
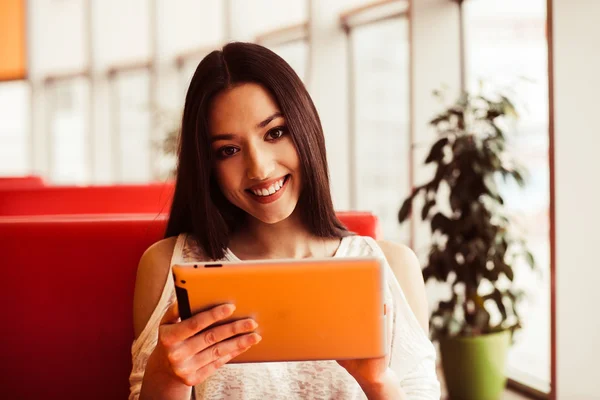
(238, 135)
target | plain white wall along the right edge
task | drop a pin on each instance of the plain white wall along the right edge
(577, 139)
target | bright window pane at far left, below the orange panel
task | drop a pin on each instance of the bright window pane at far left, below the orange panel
(14, 129)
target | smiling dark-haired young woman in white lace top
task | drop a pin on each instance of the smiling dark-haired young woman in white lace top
(252, 183)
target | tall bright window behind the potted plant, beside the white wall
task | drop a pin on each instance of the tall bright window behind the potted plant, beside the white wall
(506, 42)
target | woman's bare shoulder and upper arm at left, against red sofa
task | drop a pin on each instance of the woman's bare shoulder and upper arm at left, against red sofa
(152, 272)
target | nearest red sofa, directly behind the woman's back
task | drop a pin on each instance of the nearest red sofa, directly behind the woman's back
(67, 299)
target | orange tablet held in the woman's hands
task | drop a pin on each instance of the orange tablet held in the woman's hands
(311, 309)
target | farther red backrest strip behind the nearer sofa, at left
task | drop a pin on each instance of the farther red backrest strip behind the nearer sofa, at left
(60, 200)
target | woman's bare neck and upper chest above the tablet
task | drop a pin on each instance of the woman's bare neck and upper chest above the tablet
(286, 239)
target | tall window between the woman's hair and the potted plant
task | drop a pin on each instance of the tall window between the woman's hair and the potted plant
(381, 138)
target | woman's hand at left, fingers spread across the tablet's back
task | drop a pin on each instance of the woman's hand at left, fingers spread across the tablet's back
(184, 357)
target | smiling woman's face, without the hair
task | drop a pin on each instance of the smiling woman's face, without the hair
(256, 163)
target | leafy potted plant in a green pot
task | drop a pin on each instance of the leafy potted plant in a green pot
(473, 248)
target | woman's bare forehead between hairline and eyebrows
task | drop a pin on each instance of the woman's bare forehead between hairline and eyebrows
(241, 108)
